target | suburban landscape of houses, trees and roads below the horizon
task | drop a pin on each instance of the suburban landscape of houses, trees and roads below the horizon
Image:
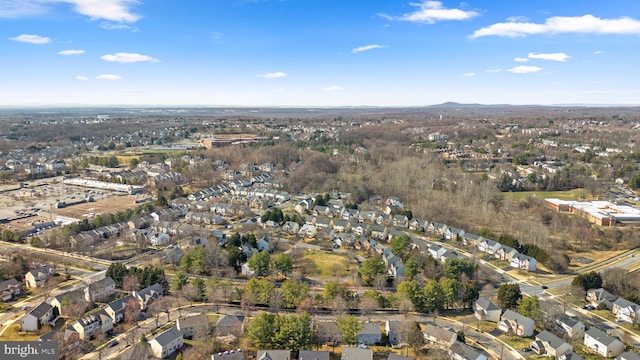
(455, 231)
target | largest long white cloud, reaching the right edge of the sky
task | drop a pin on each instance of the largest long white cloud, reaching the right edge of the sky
(586, 24)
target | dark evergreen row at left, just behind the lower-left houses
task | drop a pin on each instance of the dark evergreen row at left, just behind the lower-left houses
(145, 276)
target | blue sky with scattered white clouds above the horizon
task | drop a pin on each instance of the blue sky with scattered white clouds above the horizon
(318, 52)
